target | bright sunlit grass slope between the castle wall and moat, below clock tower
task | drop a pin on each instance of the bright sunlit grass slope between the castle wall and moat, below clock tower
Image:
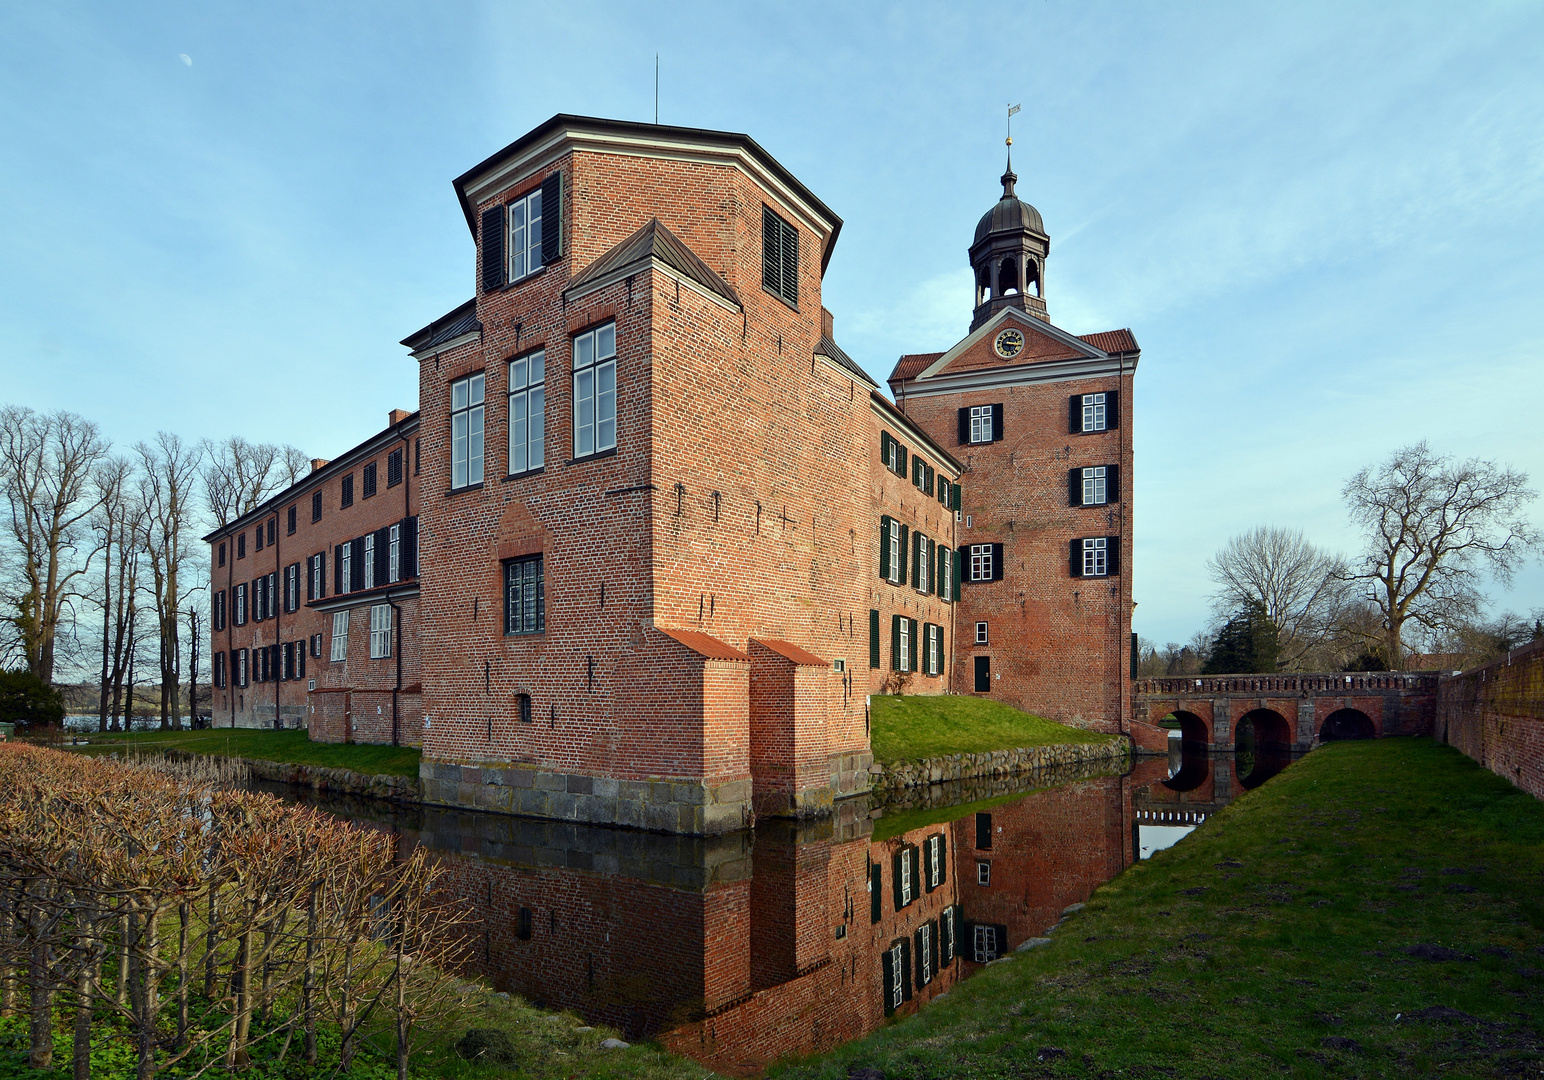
(910, 728)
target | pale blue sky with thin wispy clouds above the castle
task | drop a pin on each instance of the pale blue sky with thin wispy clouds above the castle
(1322, 222)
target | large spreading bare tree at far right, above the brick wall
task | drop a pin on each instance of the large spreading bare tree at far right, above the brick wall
(1434, 526)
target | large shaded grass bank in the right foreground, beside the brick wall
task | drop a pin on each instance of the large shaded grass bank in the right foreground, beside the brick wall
(1376, 911)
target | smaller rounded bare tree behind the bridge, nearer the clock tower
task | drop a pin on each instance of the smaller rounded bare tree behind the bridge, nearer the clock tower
(1299, 585)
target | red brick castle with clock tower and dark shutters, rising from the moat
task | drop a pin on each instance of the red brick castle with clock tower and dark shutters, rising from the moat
(654, 538)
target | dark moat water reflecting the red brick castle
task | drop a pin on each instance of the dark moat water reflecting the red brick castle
(794, 939)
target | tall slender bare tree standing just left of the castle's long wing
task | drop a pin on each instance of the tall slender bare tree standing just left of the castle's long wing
(171, 469)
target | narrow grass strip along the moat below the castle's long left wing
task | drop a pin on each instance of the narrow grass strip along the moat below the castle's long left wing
(266, 745)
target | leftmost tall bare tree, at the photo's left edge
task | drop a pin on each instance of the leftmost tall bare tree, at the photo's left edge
(46, 466)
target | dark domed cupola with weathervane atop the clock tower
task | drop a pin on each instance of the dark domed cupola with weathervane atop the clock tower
(1009, 256)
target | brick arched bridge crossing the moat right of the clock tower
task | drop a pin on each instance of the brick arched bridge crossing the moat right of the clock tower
(1287, 712)
